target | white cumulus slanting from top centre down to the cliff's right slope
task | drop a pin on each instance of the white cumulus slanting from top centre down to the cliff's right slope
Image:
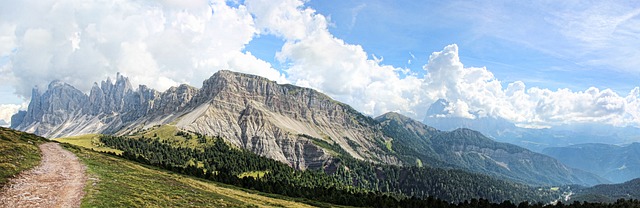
(317, 59)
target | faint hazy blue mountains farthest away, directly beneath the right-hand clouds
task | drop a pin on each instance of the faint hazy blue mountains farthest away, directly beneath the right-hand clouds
(535, 139)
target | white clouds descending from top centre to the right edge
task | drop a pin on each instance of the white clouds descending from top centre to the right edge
(315, 58)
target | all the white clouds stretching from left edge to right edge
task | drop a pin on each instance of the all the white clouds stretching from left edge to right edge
(162, 43)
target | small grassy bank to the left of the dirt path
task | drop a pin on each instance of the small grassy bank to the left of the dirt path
(18, 151)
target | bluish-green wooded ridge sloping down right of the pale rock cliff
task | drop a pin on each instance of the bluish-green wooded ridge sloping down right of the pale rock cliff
(470, 150)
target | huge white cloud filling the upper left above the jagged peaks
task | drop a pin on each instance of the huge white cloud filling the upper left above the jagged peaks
(159, 43)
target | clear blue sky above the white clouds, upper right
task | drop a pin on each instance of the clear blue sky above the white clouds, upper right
(533, 52)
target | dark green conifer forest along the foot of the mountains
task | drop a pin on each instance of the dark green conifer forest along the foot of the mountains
(344, 181)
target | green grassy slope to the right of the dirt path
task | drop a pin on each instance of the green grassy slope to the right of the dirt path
(115, 182)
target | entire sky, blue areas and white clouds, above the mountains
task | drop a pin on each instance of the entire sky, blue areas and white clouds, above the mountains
(537, 64)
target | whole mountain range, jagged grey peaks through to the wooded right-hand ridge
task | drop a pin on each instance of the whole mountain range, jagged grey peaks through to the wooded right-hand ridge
(298, 126)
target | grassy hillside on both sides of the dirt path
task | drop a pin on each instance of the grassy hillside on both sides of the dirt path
(145, 186)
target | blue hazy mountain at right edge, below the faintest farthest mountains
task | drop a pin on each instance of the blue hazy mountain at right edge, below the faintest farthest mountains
(613, 162)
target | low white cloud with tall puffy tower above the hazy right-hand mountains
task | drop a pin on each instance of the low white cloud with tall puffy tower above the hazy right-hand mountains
(475, 91)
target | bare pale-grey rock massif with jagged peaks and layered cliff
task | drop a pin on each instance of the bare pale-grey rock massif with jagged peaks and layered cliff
(283, 122)
